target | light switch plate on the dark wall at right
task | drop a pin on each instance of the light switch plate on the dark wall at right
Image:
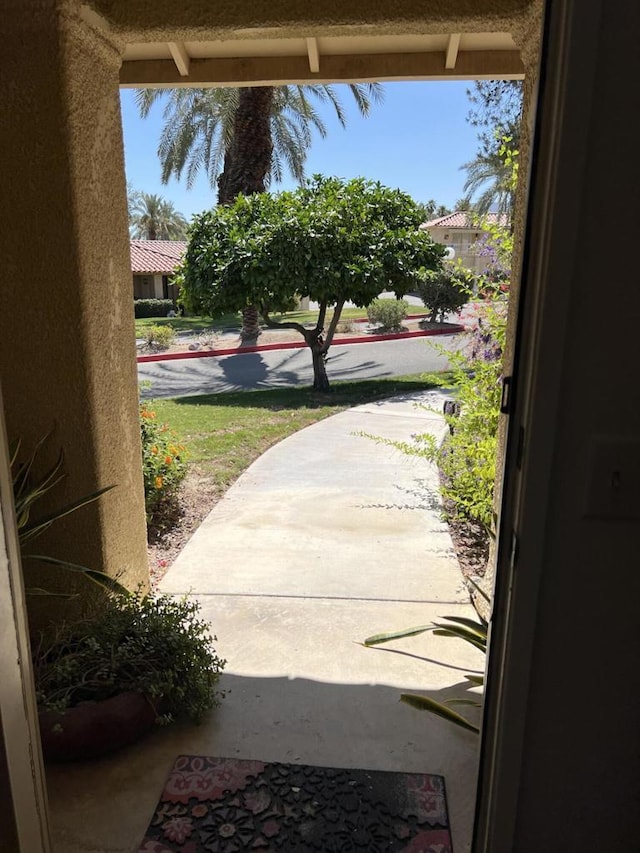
(614, 478)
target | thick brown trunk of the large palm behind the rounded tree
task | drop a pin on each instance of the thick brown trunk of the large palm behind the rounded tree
(247, 164)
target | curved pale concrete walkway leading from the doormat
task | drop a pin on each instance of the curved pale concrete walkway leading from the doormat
(327, 538)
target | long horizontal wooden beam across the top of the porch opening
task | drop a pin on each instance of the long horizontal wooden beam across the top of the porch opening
(282, 70)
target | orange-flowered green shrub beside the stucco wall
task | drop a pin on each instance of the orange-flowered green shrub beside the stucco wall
(163, 463)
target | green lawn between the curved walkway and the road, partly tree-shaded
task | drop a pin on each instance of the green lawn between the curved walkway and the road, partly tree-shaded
(224, 433)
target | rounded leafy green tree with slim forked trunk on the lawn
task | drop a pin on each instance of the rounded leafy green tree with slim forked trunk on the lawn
(329, 240)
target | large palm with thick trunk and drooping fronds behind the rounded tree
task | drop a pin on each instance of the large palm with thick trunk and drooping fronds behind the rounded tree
(244, 138)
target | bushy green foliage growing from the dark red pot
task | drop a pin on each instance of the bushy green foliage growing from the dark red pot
(150, 644)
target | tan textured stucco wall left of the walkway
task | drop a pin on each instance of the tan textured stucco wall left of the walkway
(66, 334)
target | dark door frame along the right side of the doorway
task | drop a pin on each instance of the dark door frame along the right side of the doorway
(566, 83)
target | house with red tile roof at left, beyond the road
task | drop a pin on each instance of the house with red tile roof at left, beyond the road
(153, 263)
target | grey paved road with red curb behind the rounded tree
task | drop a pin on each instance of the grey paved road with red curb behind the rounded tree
(279, 368)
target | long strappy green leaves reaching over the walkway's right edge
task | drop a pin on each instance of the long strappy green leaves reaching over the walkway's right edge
(473, 631)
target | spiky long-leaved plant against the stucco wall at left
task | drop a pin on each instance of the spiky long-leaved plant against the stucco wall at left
(28, 489)
